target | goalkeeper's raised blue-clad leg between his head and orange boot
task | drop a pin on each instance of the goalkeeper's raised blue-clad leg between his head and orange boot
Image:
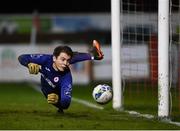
(78, 57)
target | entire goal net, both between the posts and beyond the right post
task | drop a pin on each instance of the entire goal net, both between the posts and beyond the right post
(139, 56)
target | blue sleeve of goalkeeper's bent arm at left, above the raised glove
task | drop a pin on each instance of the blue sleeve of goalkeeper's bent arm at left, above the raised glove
(25, 59)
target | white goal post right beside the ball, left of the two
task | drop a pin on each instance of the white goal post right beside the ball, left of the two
(116, 53)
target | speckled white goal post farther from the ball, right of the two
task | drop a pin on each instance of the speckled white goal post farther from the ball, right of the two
(163, 58)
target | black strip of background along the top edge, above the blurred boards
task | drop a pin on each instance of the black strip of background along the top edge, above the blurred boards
(74, 6)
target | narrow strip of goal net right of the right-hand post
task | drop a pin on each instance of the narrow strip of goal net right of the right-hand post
(174, 53)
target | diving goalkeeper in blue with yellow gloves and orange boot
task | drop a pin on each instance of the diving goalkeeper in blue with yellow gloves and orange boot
(56, 78)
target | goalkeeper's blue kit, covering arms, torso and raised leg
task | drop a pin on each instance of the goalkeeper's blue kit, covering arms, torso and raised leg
(52, 80)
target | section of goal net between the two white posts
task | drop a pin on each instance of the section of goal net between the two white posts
(139, 56)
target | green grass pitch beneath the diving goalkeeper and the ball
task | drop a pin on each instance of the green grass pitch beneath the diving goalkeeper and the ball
(23, 108)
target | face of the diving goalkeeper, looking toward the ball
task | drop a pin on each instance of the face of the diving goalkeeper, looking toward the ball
(61, 62)
